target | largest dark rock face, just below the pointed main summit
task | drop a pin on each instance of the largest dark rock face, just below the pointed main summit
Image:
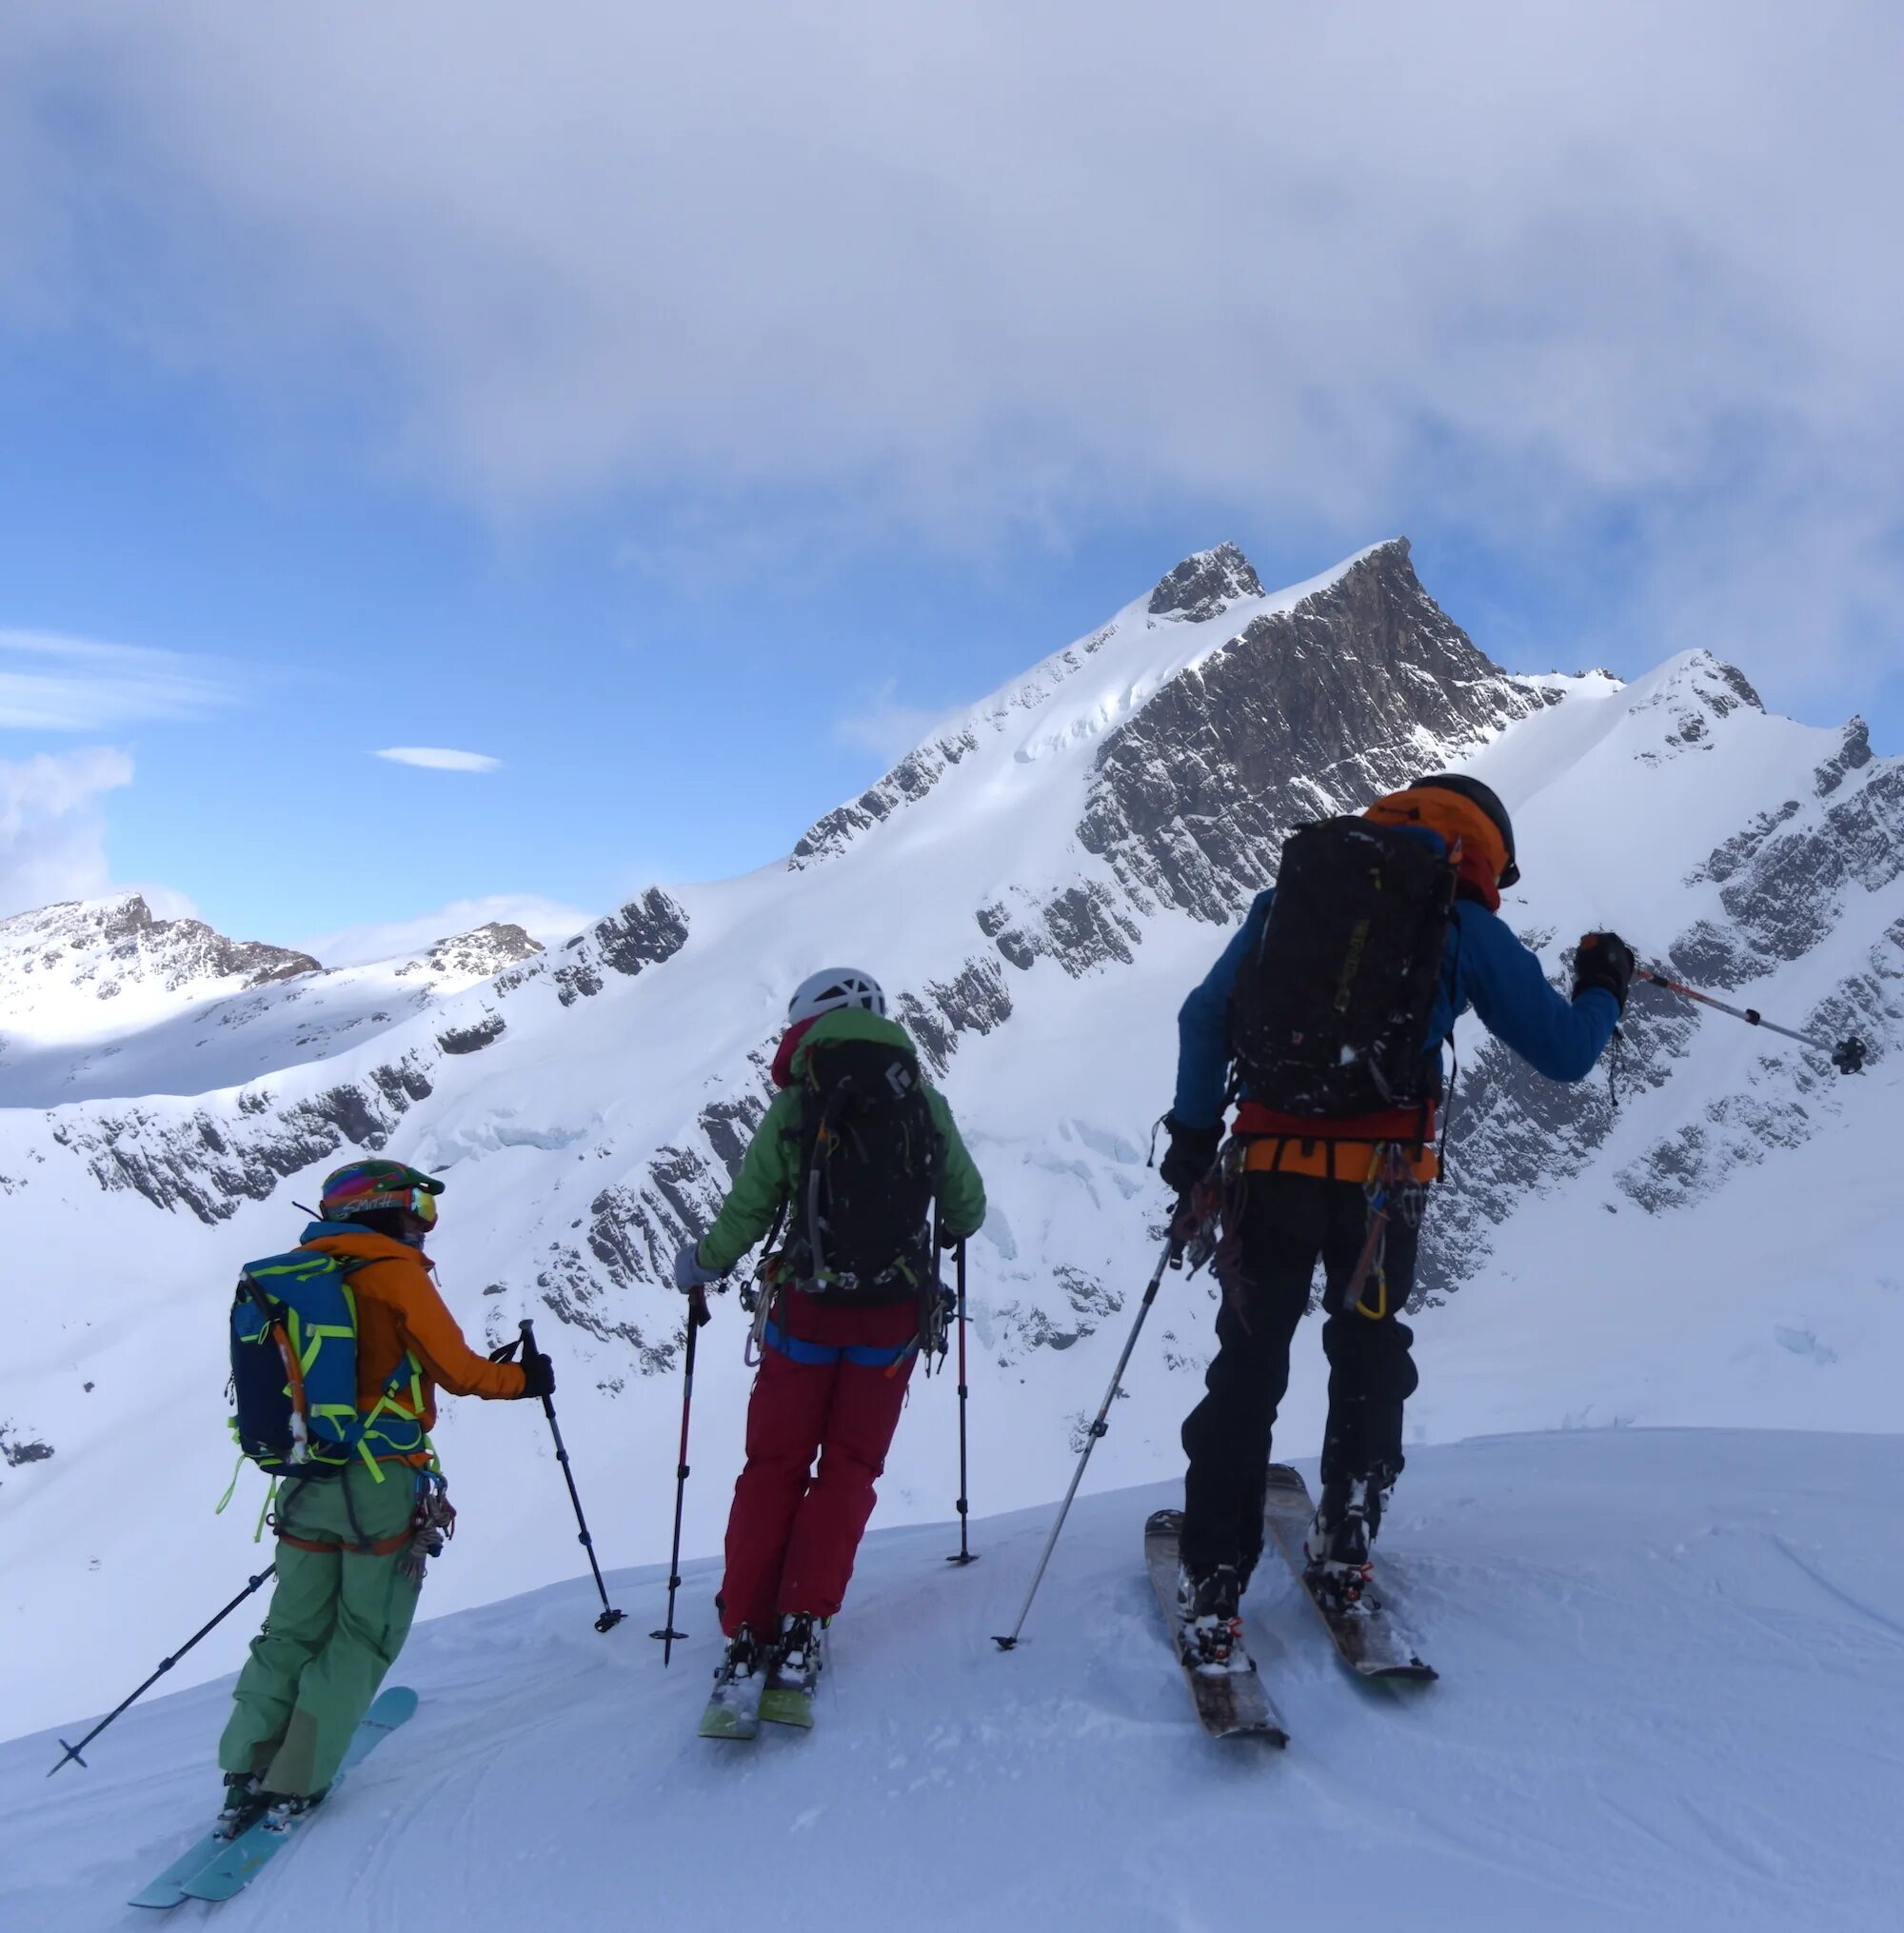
(1306, 714)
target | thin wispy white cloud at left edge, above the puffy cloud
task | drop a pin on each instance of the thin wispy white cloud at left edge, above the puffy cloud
(57, 683)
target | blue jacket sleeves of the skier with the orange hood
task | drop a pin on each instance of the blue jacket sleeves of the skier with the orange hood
(1484, 967)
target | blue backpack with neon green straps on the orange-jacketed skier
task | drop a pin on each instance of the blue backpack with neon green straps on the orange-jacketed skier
(295, 1371)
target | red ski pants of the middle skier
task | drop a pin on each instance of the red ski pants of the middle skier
(832, 1383)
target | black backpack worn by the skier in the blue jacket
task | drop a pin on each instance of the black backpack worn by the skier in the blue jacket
(1331, 1012)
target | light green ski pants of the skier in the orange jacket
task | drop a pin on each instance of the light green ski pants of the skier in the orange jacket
(335, 1627)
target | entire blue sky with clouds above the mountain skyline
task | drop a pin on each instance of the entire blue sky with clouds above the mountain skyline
(681, 446)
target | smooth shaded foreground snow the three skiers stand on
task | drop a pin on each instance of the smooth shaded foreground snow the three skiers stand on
(1673, 1665)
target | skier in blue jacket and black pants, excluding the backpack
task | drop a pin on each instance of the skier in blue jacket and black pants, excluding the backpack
(1304, 1197)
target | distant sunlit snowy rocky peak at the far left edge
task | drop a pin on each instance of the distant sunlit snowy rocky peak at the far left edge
(96, 966)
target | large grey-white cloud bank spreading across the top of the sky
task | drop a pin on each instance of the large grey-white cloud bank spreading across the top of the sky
(1016, 264)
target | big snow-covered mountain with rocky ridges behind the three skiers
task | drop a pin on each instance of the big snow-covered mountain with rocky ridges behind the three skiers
(1037, 884)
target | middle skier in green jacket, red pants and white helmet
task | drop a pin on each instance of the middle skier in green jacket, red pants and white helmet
(863, 1159)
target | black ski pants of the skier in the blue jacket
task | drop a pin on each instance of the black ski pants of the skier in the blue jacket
(1286, 1226)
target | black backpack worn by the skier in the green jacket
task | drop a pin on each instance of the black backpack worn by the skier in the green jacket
(869, 1170)
